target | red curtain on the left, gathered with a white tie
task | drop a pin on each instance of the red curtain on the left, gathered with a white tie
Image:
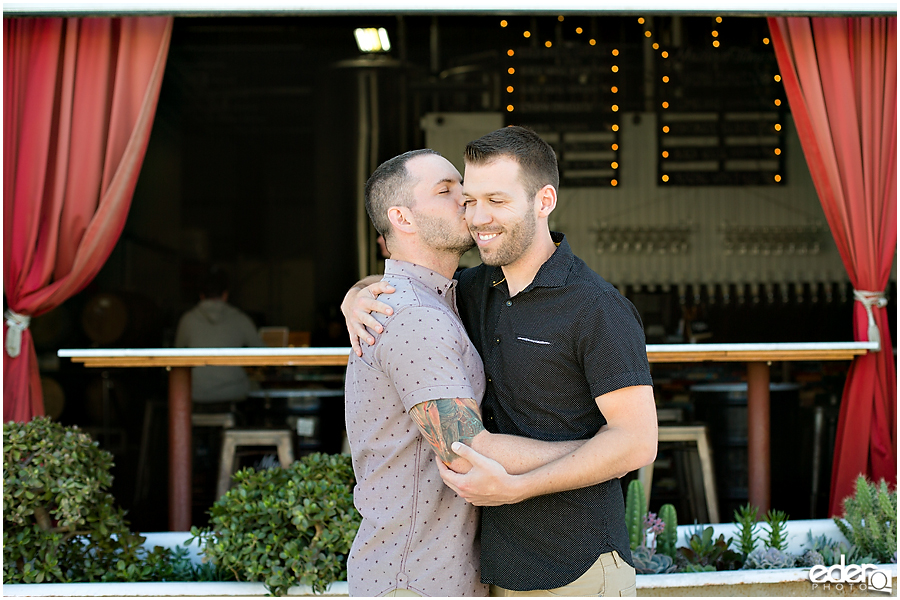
(79, 96)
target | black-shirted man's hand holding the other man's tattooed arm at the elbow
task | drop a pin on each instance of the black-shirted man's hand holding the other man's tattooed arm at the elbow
(486, 484)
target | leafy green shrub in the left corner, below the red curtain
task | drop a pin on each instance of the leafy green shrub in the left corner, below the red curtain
(59, 522)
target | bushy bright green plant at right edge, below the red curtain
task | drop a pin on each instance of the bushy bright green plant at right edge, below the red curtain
(870, 520)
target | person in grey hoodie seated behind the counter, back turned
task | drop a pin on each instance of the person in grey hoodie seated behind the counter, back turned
(213, 323)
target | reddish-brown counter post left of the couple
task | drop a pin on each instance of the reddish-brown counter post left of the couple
(180, 449)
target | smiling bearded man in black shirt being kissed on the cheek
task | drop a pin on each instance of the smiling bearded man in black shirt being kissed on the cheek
(565, 359)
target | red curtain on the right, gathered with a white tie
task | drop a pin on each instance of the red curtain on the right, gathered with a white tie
(840, 77)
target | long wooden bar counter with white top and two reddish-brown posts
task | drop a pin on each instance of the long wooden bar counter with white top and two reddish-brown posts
(179, 360)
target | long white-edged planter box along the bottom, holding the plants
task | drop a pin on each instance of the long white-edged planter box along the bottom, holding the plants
(764, 582)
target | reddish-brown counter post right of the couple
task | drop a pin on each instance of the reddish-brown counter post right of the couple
(758, 428)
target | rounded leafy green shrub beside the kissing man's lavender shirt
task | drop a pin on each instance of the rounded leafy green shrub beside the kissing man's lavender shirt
(285, 526)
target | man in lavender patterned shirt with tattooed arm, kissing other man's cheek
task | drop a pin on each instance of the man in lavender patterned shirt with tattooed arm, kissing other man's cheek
(417, 391)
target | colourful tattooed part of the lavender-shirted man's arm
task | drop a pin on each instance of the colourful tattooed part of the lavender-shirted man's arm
(445, 421)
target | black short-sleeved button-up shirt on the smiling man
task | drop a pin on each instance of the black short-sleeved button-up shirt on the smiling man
(548, 352)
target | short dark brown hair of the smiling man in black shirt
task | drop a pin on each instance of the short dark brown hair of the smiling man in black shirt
(537, 160)
